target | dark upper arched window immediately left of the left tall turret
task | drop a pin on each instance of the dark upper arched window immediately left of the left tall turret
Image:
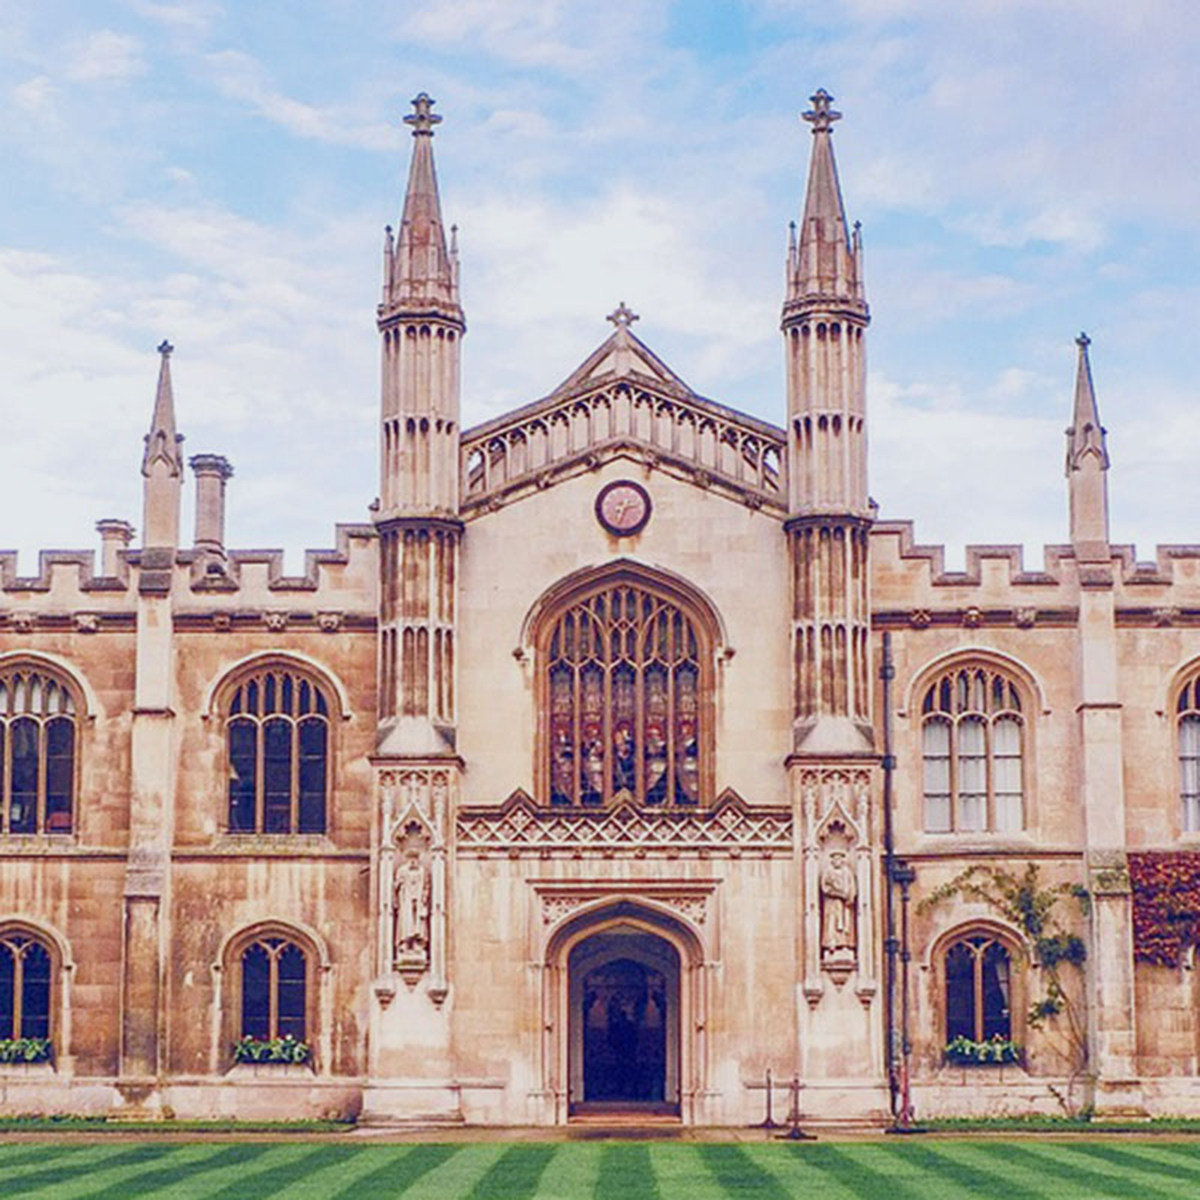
(278, 733)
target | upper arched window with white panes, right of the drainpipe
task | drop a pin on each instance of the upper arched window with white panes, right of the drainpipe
(974, 752)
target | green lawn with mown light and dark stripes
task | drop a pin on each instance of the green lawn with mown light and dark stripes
(896, 1171)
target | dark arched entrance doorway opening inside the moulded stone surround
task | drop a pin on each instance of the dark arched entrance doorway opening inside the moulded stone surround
(623, 1037)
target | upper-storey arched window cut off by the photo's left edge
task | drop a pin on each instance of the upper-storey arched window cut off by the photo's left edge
(38, 751)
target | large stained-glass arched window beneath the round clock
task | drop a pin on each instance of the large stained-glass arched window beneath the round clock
(626, 670)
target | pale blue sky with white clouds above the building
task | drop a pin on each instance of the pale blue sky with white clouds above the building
(221, 173)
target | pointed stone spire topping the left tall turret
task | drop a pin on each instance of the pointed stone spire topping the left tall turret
(421, 274)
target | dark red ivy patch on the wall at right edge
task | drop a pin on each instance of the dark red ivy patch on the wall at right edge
(1166, 904)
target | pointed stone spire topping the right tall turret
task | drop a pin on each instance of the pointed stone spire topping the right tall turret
(827, 262)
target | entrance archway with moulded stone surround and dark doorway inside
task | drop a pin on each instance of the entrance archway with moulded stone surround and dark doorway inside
(638, 974)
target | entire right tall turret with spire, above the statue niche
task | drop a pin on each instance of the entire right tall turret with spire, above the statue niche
(825, 322)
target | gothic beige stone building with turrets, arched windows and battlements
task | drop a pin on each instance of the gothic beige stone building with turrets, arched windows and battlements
(567, 782)
